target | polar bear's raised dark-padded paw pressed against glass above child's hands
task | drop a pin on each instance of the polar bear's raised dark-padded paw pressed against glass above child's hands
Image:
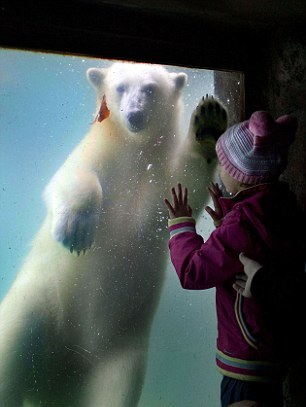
(208, 121)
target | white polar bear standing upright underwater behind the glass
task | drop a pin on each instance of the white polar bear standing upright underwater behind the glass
(74, 327)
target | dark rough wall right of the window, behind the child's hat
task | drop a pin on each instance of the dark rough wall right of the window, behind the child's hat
(277, 82)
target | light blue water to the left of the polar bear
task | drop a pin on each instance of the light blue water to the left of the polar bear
(46, 107)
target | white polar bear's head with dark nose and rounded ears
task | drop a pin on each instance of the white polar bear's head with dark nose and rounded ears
(141, 97)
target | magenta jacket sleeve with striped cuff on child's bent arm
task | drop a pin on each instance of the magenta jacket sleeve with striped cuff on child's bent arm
(202, 265)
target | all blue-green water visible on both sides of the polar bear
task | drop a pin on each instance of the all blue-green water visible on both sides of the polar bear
(46, 107)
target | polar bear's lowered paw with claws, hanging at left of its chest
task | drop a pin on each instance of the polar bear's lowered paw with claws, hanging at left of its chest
(76, 230)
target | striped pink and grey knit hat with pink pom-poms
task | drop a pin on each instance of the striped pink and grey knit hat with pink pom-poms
(256, 150)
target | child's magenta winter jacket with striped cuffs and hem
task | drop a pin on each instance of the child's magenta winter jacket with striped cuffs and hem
(261, 222)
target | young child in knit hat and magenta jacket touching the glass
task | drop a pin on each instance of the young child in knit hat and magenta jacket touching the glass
(261, 219)
